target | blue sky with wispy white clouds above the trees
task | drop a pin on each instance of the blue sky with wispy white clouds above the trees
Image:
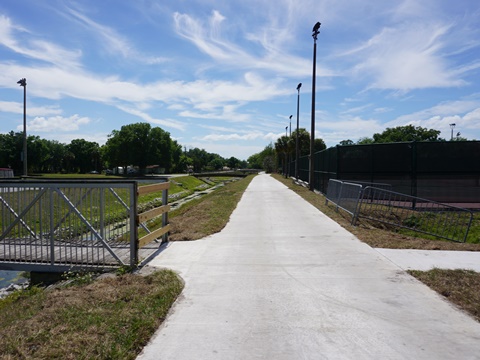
(222, 75)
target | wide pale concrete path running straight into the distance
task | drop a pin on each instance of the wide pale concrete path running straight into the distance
(283, 281)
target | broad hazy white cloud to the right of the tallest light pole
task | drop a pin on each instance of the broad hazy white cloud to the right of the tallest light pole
(407, 58)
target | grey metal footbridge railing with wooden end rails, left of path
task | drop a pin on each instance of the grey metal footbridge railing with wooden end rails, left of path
(63, 225)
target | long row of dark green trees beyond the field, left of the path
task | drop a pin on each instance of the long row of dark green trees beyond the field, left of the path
(138, 145)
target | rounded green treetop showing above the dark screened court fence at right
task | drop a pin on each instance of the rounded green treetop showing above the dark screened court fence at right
(406, 133)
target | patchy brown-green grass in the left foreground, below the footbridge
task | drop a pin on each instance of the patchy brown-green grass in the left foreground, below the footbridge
(112, 318)
